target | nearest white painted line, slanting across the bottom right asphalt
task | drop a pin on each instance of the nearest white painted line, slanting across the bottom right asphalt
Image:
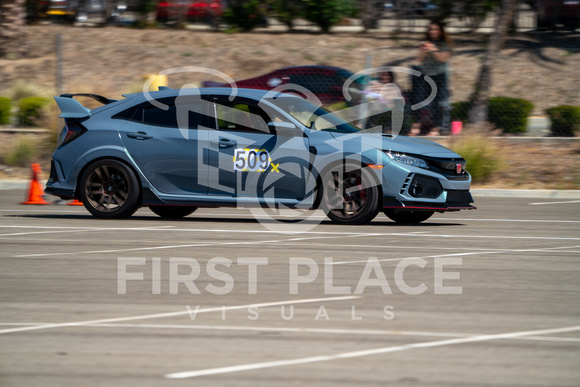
(376, 351)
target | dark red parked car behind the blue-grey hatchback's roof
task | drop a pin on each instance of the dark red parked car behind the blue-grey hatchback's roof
(325, 82)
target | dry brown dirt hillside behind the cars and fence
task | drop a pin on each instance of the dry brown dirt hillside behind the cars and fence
(114, 60)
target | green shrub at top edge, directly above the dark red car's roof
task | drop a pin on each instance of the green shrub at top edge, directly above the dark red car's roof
(327, 13)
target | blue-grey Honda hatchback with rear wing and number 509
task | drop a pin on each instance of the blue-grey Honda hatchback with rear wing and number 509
(175, 150)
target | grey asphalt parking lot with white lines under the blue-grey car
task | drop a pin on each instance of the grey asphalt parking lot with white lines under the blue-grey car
(233, 297)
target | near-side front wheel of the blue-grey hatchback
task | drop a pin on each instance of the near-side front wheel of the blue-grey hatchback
(350, 195)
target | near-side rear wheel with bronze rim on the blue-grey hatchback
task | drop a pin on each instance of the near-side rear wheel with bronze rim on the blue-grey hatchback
(109, 189)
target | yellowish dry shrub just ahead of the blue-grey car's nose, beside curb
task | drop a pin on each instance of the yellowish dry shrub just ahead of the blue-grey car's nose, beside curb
(482, 156)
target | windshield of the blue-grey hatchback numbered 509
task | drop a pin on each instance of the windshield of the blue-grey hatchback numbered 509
(312, 116)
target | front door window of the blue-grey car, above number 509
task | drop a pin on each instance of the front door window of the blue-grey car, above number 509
(241, 116)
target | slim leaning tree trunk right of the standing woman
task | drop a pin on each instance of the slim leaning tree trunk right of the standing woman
(478, 111)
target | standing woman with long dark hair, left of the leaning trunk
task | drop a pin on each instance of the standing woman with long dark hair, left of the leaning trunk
(434, 55)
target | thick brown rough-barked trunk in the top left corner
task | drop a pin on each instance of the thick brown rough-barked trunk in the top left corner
(12, 28)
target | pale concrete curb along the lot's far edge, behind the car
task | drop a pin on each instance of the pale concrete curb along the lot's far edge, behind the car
(476, 192)
